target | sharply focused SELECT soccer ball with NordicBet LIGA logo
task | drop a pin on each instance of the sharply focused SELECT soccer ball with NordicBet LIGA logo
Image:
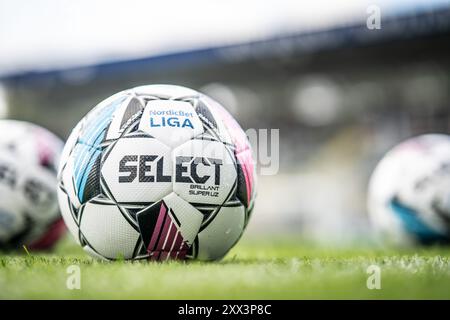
(157, 172)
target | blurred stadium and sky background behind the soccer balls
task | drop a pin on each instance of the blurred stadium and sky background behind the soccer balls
(340, 94)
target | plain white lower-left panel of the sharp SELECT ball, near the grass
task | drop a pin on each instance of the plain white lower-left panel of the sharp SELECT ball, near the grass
(107, 231)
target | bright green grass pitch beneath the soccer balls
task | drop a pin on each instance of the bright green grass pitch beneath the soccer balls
(270, 269)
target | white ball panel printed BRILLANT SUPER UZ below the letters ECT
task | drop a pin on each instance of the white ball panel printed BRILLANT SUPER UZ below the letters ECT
(205, 172)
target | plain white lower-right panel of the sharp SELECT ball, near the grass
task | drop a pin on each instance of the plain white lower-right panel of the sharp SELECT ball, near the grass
(216, 239)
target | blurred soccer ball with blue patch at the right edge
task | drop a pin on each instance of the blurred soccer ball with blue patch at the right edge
(409, 192)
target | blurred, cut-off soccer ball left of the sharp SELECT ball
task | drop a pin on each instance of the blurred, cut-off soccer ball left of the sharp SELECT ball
(29, 213)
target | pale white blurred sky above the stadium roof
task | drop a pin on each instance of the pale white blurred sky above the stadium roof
(46, 34)
